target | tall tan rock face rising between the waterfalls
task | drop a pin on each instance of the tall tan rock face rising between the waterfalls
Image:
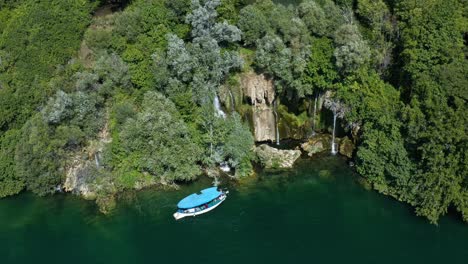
(259, 92)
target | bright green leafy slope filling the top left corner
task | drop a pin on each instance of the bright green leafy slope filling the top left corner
(38, 36)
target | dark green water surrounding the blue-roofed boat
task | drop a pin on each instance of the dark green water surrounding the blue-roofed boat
(301, 216)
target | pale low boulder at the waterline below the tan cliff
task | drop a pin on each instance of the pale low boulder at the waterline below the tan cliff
(274, 158)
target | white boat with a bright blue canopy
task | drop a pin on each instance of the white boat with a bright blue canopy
(200, 203)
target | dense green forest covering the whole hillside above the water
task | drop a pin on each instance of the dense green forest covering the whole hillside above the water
(130, 92)
